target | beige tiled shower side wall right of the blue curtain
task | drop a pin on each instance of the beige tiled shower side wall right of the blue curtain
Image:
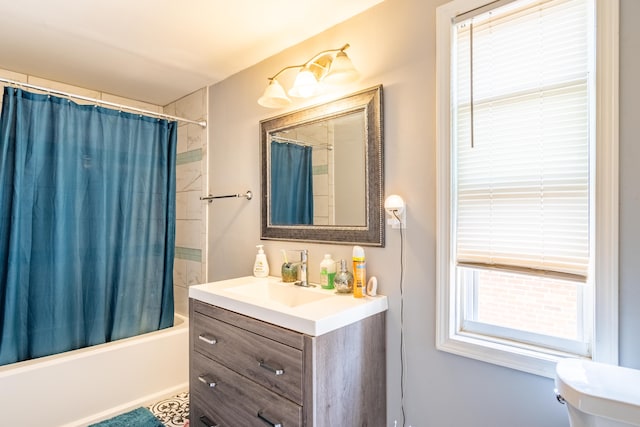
(189, 267)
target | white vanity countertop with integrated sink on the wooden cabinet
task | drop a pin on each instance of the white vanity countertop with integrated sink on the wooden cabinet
(325, 310)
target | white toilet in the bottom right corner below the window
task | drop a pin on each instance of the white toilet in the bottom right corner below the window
(597, 394)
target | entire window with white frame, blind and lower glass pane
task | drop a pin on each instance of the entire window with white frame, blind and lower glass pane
(527, 168)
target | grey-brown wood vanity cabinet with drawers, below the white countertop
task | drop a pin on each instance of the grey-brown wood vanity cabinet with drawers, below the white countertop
(246, 372)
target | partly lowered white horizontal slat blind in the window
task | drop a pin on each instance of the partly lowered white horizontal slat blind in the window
(521, 132)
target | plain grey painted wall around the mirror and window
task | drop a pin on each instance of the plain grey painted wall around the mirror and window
(394, 44)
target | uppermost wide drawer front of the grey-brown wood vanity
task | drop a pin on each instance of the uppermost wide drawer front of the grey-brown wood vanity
(265, 361)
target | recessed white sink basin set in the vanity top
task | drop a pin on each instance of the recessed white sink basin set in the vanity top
(280, 293)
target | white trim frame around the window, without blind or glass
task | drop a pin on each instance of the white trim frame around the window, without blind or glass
(534, 359)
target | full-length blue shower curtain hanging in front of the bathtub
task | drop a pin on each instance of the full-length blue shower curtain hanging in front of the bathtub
(87, 225)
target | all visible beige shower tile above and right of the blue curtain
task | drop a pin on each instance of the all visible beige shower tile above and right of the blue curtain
(189, 264)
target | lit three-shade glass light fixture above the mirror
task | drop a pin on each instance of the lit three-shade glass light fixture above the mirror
(330, 67)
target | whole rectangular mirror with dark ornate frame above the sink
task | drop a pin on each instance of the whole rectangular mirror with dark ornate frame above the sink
(322, 172)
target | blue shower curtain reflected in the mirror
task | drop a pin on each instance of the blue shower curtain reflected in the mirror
(291, 184)
